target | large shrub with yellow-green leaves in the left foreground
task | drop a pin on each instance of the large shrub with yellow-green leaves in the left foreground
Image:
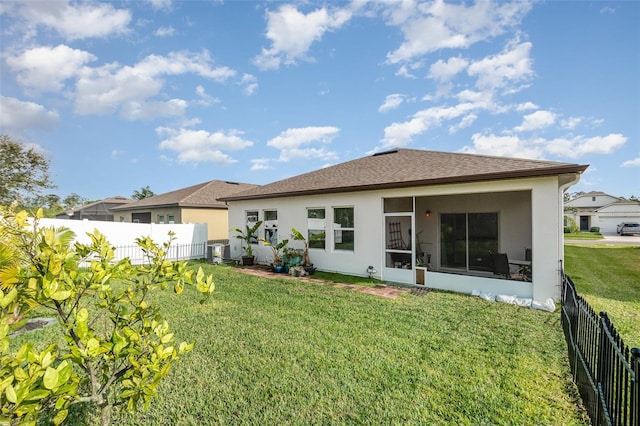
(118, 346)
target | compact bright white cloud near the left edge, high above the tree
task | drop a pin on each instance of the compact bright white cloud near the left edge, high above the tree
(47, 68)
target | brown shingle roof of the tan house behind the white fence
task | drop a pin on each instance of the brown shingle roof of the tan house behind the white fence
(204, 195)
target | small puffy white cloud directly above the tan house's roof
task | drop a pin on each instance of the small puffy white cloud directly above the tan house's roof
(201, 146)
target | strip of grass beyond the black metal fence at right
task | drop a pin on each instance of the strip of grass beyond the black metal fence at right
(608, 277)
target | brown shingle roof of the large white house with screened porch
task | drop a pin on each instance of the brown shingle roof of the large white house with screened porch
(405, 168)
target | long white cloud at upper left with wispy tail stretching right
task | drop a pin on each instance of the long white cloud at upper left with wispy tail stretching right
(127, 89)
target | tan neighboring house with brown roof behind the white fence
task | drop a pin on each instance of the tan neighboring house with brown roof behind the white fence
(195, 204)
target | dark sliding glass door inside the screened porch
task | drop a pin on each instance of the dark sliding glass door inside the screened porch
(466, 239)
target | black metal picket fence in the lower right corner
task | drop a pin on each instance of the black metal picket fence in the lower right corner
(606, 371)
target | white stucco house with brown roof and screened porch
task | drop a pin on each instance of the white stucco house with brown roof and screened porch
(421, 217)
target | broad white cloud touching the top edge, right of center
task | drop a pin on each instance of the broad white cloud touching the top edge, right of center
(428, 27)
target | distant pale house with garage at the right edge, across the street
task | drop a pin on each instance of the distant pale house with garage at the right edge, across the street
(601, 210)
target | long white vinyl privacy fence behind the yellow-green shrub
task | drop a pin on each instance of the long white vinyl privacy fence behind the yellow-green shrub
(190, 239)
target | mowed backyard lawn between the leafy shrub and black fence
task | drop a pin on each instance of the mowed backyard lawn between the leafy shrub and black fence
(288, 352)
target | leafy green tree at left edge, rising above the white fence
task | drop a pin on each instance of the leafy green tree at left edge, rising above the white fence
(23, 171)
